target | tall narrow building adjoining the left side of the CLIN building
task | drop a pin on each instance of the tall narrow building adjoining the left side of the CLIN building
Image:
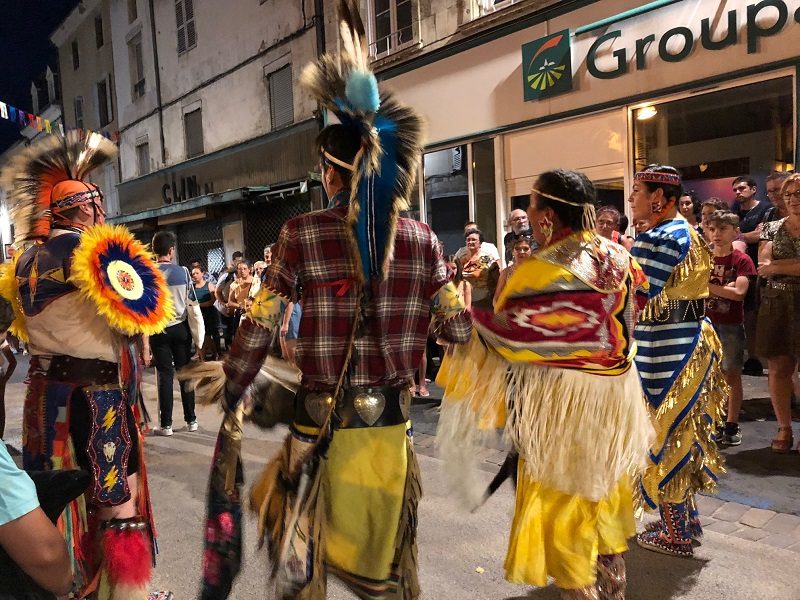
(86, 68)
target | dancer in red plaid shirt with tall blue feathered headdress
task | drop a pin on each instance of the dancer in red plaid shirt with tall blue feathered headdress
(368, 278)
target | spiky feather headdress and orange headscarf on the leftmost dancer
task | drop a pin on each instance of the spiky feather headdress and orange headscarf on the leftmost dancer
(47, 178)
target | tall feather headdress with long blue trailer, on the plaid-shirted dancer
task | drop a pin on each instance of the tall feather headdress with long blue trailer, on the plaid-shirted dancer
(385, 168)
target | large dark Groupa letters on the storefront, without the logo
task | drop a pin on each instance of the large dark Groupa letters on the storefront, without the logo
(677, 43)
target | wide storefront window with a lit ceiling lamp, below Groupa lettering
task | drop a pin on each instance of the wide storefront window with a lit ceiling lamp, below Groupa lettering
(713, 138)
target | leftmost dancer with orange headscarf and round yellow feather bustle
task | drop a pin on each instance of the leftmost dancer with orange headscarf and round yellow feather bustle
(83, 292)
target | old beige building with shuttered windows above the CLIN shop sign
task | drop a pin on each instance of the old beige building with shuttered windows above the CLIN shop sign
(216, 137)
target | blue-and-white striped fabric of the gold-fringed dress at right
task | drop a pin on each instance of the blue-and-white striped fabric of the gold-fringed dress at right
(663, 350)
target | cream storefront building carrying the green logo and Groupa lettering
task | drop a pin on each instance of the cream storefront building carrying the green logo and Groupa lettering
(513, 88)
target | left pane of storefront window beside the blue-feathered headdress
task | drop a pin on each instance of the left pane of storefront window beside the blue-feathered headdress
(447, 195)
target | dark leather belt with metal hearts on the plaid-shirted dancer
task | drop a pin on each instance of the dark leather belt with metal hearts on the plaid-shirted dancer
(380, 406)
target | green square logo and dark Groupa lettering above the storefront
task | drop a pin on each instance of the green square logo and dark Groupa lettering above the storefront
(762, 19)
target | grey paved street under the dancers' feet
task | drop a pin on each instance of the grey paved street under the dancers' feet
(751, 549)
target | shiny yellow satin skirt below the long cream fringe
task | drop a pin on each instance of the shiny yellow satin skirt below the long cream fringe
(559, 535)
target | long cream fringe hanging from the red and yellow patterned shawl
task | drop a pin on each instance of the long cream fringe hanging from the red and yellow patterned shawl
(578, 433)
